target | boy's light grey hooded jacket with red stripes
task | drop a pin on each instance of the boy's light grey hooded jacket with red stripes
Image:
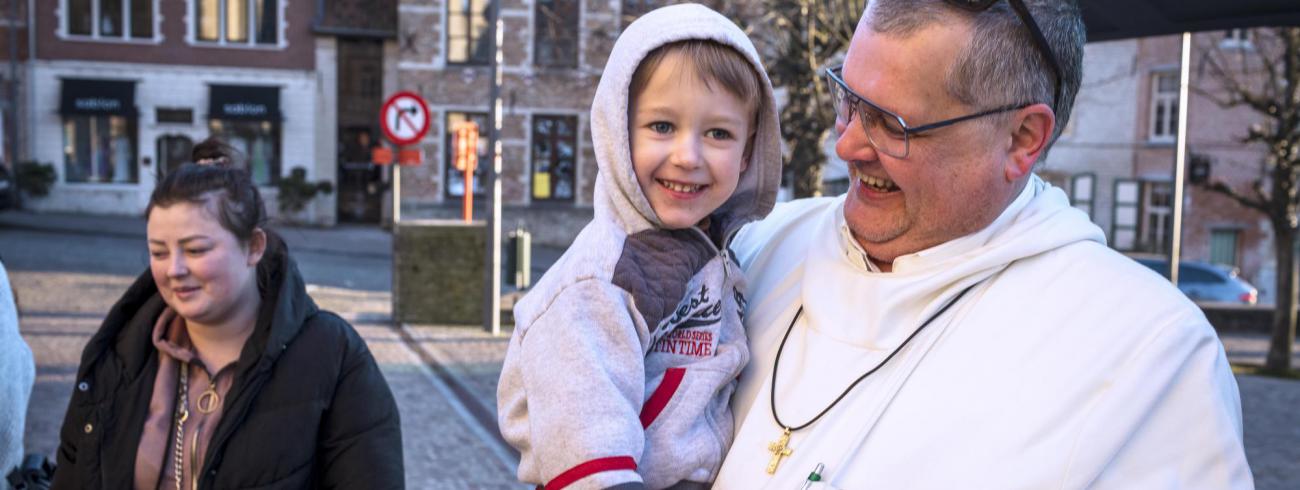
(626, 354)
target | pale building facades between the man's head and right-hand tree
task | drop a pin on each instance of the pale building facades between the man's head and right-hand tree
(1117, 153)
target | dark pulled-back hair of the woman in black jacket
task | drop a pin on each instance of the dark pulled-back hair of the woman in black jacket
(237, 203)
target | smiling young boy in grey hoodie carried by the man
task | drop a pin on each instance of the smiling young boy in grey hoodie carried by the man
(626, 354)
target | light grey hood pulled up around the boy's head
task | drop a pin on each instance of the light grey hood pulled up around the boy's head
(618, 196)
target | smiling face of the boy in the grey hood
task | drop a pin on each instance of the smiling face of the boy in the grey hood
(688, 142)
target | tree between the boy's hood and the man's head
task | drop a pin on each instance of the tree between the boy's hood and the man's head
(805, 36)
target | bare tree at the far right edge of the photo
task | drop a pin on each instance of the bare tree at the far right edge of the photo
(1267, 80)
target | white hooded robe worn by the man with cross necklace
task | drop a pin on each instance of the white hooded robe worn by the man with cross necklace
(1067, 367)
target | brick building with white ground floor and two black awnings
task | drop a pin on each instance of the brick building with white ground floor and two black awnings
(118, 92)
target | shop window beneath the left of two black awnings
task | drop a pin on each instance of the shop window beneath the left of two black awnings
(99, 149)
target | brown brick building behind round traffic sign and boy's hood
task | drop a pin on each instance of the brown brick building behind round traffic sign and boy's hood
(554, 53)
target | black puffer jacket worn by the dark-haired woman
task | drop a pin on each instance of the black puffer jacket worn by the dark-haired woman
(309, 407)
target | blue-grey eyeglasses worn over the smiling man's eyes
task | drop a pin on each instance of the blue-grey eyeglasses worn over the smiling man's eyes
(887, 132)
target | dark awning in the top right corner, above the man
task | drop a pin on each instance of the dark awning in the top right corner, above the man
(1110, 20)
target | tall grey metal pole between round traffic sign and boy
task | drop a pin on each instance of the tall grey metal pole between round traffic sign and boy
(492, 280)
